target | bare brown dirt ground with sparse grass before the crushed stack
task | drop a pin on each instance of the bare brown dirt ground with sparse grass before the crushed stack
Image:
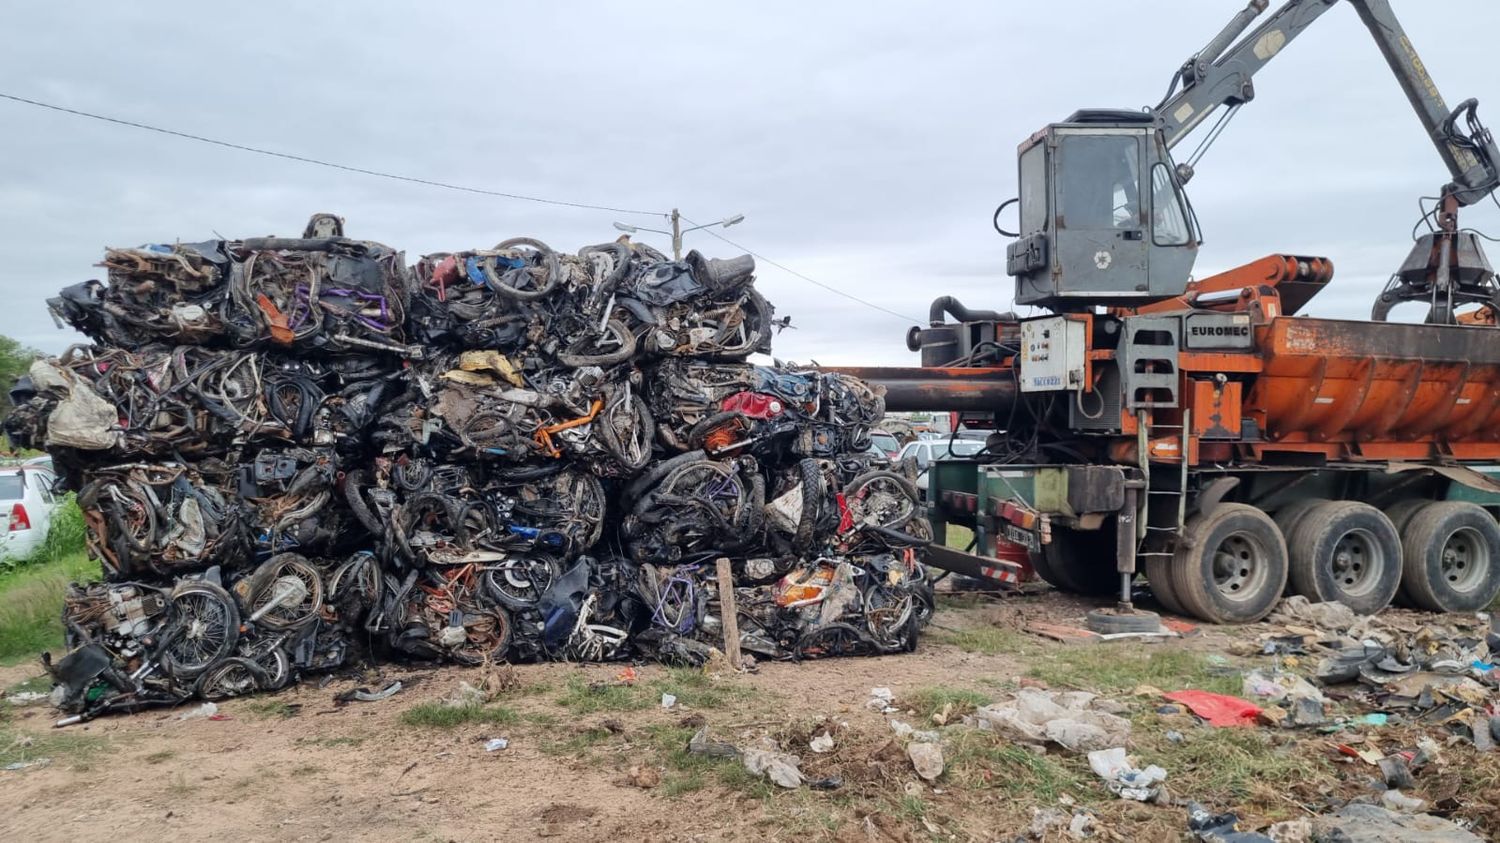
(592, 758)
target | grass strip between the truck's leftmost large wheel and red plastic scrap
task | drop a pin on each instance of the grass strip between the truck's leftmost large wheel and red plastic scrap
(1111, 670)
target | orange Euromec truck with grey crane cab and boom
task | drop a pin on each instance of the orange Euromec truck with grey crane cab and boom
(1199, 431)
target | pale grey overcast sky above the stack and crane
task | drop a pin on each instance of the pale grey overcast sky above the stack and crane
(866, 143)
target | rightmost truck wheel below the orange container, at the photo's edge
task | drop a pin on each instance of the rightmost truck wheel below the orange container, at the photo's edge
(1453, 557)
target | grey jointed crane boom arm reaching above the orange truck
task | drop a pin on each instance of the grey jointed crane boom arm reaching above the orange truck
(1222, 74)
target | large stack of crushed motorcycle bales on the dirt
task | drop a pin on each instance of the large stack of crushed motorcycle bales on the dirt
(301, 454)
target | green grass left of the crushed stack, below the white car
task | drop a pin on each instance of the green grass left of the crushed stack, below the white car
(32, 605)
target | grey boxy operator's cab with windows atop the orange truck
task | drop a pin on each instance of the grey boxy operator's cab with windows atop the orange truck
(1103, 217)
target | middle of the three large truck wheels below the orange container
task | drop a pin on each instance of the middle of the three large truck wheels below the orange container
(1349, 553)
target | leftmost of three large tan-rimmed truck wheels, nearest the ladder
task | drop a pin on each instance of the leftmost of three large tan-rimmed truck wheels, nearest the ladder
(1231, 565)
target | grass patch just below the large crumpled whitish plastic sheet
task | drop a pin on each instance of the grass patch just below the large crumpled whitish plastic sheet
(979, 760)
